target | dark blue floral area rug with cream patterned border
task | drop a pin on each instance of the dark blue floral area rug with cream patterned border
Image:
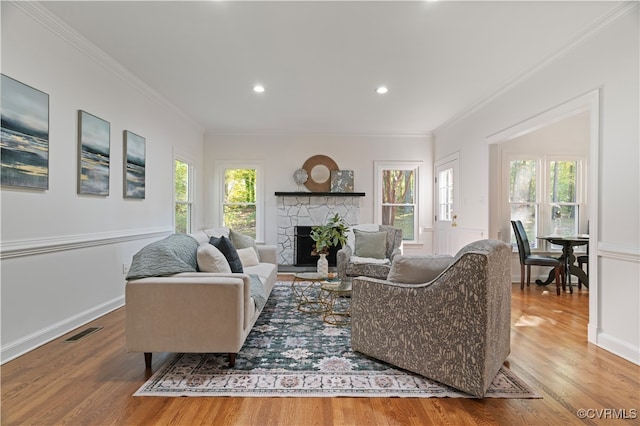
(294, 354)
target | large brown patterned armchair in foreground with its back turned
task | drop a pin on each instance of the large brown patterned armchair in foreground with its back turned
(452, 326)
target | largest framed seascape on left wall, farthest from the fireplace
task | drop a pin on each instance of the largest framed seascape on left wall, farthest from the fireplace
(25, 135)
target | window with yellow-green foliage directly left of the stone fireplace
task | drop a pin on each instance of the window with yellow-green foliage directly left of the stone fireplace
(241, 206)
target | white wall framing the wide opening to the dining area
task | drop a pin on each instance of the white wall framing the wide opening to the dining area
(606, 61)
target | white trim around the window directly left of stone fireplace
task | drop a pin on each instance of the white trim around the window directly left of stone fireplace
(220, 166)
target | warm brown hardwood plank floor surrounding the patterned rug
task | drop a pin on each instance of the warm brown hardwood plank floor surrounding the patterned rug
(90, 382)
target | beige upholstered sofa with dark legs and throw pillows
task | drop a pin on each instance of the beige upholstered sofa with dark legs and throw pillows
(192, 311)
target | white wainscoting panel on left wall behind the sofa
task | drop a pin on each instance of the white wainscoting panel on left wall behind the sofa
(52, 286)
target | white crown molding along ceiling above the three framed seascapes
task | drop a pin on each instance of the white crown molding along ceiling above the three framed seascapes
(54, 24)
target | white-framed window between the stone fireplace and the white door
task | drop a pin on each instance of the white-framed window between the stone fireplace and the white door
(397, 197)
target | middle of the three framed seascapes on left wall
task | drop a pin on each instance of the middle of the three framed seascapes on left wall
(94, 135)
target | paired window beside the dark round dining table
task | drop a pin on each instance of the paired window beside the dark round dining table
(545, 195)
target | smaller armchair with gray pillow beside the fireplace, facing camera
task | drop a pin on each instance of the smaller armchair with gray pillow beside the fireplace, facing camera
(369, 251)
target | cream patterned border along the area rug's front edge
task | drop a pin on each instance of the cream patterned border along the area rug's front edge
(201, 375)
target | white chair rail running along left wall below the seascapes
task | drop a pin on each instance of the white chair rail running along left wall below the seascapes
(31, 247)
